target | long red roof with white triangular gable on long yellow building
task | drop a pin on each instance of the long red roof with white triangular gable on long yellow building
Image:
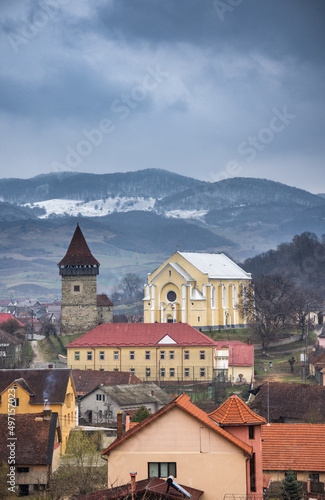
(142, 334)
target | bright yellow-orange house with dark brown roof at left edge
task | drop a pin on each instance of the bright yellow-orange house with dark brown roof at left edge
(32, 391)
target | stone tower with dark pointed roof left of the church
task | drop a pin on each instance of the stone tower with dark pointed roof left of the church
(78, 269)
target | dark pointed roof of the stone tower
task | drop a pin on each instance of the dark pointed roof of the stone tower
(78, 253)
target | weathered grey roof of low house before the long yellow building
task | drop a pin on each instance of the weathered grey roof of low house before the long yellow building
(135, 394)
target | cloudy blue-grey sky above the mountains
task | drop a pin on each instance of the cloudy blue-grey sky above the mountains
(211, 89)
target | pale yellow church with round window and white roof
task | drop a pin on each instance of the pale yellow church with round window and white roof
(201, 289)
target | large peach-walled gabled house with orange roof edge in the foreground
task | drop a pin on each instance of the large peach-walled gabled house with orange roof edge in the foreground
(183, 441)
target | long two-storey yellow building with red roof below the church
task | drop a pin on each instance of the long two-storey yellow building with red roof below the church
(160, 352)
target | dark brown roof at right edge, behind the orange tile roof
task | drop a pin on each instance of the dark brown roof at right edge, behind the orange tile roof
(290, 403)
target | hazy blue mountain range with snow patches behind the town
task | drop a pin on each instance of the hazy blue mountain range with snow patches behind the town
(134, 220)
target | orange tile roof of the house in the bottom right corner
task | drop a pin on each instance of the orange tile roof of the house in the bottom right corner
(296, 446)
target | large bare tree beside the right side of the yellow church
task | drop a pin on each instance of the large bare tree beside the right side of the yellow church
(267, 306)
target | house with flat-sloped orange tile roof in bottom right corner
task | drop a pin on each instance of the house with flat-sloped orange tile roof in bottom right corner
(299, 447)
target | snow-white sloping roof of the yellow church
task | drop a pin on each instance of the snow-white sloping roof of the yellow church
(215, 265)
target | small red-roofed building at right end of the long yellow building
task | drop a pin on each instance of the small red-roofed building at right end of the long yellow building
(235, 361)
